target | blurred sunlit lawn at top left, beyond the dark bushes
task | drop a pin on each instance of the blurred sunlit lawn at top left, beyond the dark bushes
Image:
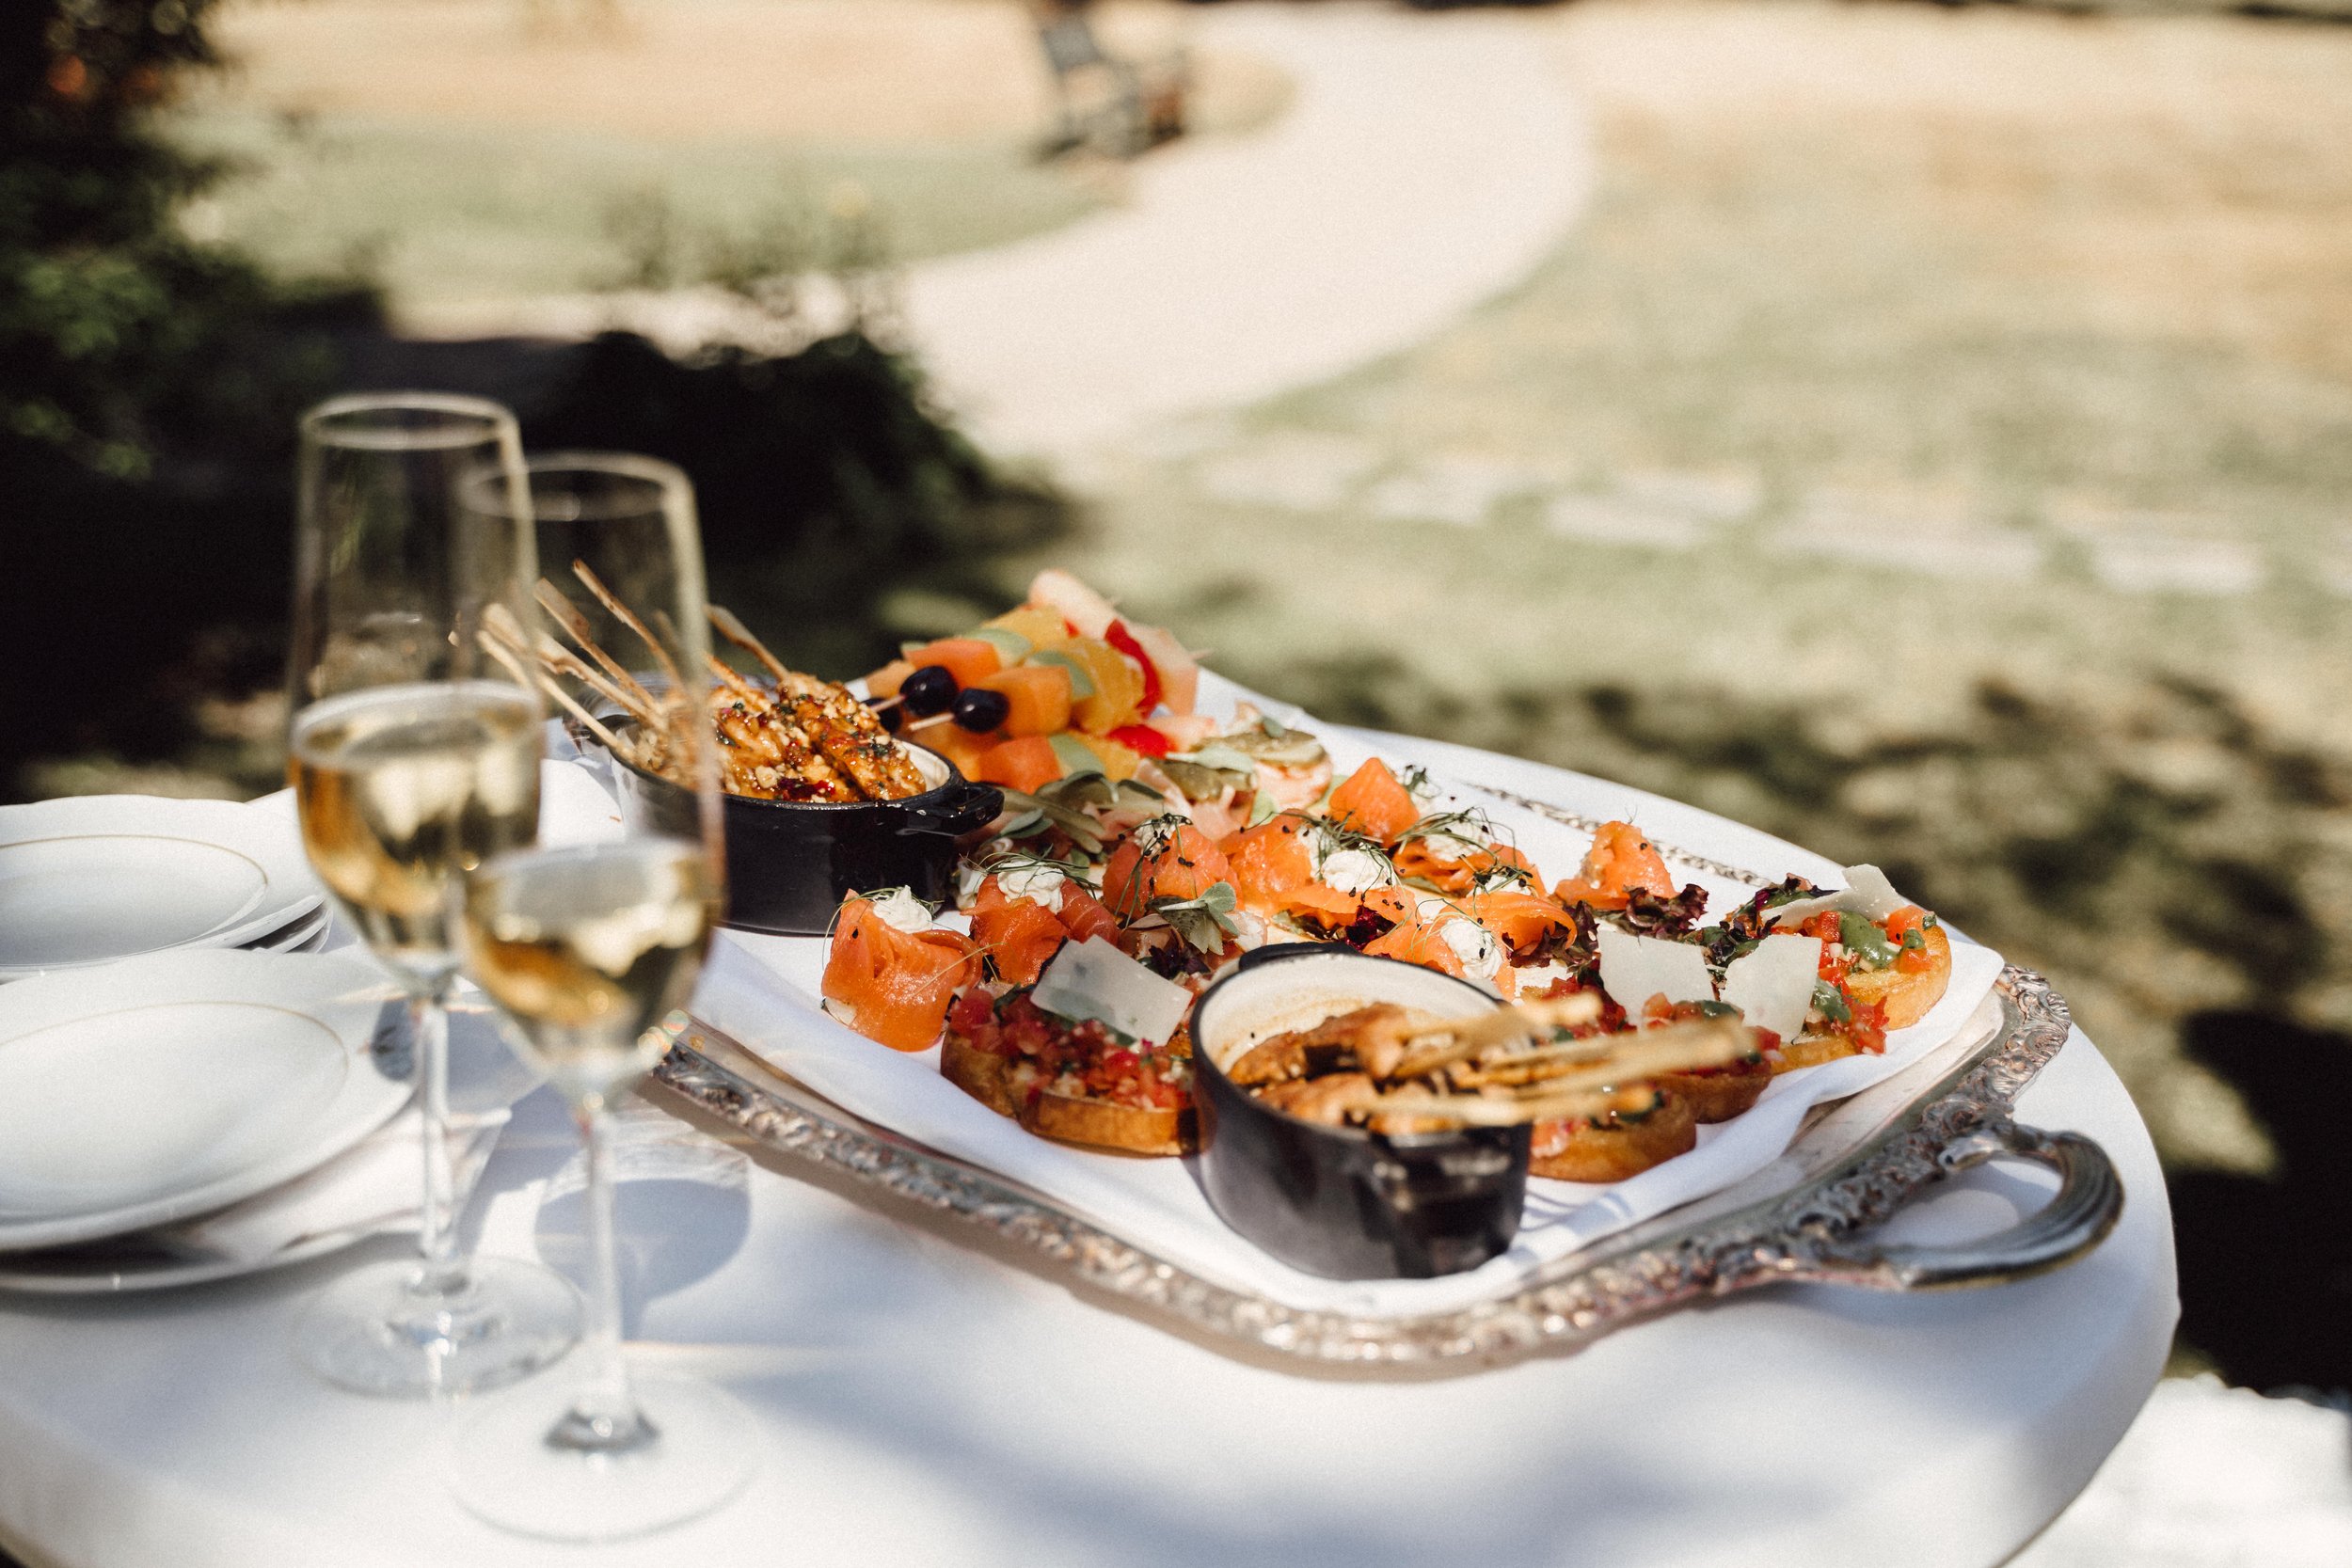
(469, 152)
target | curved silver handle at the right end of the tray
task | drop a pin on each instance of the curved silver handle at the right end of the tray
(2080, 1214)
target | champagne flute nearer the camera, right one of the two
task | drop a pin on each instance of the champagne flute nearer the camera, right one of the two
(592, 951)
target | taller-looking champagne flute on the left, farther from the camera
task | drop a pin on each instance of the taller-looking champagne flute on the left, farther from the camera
(415, 756)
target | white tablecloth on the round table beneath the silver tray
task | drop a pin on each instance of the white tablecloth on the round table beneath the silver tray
(930, 1405)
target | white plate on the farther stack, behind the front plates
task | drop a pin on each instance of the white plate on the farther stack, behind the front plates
(98, 878)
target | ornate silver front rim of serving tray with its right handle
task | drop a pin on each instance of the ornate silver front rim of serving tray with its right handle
(1803, 1219)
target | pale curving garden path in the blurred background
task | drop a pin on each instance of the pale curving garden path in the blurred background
(1424, 166)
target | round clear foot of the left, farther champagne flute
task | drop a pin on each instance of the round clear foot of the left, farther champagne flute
(373, 1332)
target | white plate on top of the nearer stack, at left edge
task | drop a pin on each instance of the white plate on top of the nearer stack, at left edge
(173, 1085)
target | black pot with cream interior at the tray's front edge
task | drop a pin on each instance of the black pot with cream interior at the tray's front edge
(1332, 1200)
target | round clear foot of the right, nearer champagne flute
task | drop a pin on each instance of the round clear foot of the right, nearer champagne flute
(512, 1466)
